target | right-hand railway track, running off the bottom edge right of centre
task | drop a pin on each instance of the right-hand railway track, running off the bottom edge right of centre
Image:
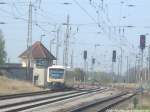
(103, 104)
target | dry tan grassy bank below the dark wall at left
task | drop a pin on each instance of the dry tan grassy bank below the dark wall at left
(9, 86)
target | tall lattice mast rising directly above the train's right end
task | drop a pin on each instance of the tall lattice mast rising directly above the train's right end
(66, 43)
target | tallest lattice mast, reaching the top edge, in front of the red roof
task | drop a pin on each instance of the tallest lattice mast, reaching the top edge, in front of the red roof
(29, 41)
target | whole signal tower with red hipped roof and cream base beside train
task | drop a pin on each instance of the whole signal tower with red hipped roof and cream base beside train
(40, 59)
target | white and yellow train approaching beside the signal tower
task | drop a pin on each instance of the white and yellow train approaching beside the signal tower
(59, 78)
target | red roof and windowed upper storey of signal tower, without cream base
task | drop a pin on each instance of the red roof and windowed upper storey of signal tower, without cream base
(39, 55)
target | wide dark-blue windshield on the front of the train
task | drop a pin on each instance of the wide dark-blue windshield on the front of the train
(56, 73)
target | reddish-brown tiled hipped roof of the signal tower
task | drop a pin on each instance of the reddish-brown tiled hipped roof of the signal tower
(38, 51)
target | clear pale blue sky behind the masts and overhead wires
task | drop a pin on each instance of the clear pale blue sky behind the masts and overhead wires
(113, 14)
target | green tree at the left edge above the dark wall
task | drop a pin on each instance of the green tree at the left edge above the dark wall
(2, 49)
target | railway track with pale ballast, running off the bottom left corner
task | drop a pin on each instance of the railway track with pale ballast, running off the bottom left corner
(14, 105)
